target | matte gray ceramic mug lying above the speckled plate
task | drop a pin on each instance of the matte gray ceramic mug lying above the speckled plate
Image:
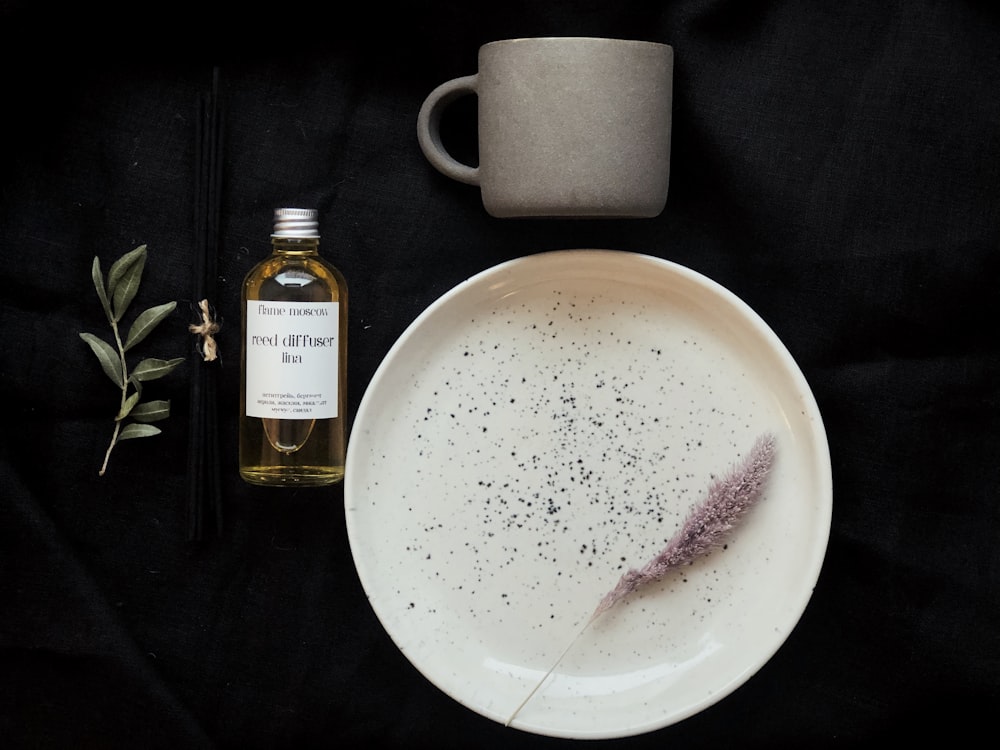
(568, 127)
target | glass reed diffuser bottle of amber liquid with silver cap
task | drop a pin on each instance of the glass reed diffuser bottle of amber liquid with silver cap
(293, 450)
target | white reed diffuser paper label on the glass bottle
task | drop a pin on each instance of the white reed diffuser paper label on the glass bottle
(292, 359)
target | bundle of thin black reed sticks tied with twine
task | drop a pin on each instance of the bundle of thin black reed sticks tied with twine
(204, 504)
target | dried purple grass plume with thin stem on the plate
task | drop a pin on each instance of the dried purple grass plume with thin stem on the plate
(727, 502)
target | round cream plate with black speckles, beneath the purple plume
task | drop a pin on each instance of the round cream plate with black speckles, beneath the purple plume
(542, 427)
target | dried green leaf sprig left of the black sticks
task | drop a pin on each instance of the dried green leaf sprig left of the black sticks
(134, 416)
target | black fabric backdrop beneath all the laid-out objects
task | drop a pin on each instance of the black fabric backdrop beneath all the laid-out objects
(837, 166)
